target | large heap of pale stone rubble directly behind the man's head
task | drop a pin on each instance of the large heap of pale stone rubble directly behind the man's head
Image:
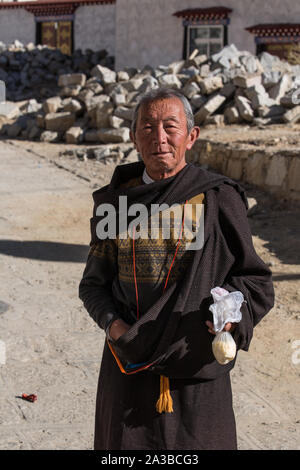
(231, 87)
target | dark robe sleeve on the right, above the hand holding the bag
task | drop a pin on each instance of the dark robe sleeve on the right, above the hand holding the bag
(249, 274)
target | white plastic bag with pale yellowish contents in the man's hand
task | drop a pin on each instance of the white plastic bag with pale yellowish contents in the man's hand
(226, 308)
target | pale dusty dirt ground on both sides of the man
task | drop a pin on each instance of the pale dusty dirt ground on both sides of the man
(49, 345)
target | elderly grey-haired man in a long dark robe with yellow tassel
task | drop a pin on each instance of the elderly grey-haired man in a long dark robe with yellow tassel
(160, 386)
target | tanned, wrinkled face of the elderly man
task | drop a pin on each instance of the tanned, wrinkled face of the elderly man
(162, 138)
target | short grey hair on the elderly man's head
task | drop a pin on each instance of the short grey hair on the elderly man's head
(162, 94)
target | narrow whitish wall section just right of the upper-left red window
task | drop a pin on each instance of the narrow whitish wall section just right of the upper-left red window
(94, 28)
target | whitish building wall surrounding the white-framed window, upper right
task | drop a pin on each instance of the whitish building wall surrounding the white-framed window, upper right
(148, 33)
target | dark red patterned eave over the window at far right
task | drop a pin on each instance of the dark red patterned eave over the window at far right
(280, 32)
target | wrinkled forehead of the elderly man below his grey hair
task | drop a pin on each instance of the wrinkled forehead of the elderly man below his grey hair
(166, 108)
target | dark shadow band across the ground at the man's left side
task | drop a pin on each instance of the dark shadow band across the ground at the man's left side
(45, 251)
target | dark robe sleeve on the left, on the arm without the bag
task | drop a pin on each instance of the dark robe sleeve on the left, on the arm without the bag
(95, 285)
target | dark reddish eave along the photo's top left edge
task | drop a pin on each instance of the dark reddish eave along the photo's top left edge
(52, 7)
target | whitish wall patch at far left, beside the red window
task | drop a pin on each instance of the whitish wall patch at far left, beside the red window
(17, 24)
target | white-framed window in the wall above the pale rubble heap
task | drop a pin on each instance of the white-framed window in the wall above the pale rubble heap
(208, 39)
